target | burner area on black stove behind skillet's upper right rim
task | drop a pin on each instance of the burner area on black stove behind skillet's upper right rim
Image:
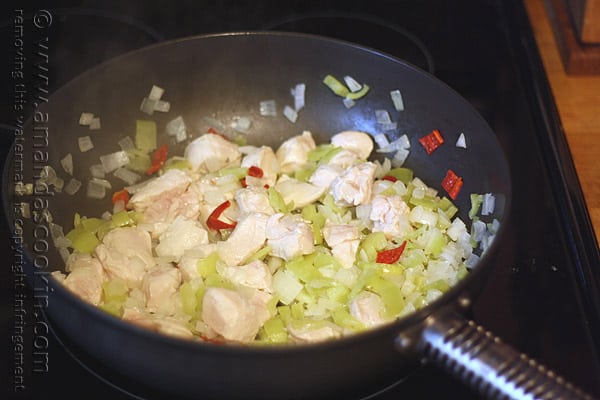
(371, 31)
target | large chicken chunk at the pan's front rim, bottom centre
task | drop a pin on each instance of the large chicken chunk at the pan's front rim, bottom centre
(232, 315)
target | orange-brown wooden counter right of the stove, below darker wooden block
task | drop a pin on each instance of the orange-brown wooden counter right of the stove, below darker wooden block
(577, 98)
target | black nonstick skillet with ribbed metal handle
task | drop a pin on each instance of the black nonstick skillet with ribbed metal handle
(218, 78)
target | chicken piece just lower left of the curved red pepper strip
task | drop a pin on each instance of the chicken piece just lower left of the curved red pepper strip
(181, 235)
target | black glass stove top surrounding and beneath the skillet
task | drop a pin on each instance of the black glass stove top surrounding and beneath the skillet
(543, 296)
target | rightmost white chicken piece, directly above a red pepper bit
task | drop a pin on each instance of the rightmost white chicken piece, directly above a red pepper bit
(390, 215)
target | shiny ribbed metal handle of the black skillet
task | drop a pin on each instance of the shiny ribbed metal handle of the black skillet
(481, 360)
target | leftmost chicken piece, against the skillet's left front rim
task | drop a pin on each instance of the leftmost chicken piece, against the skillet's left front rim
(85, 278)
